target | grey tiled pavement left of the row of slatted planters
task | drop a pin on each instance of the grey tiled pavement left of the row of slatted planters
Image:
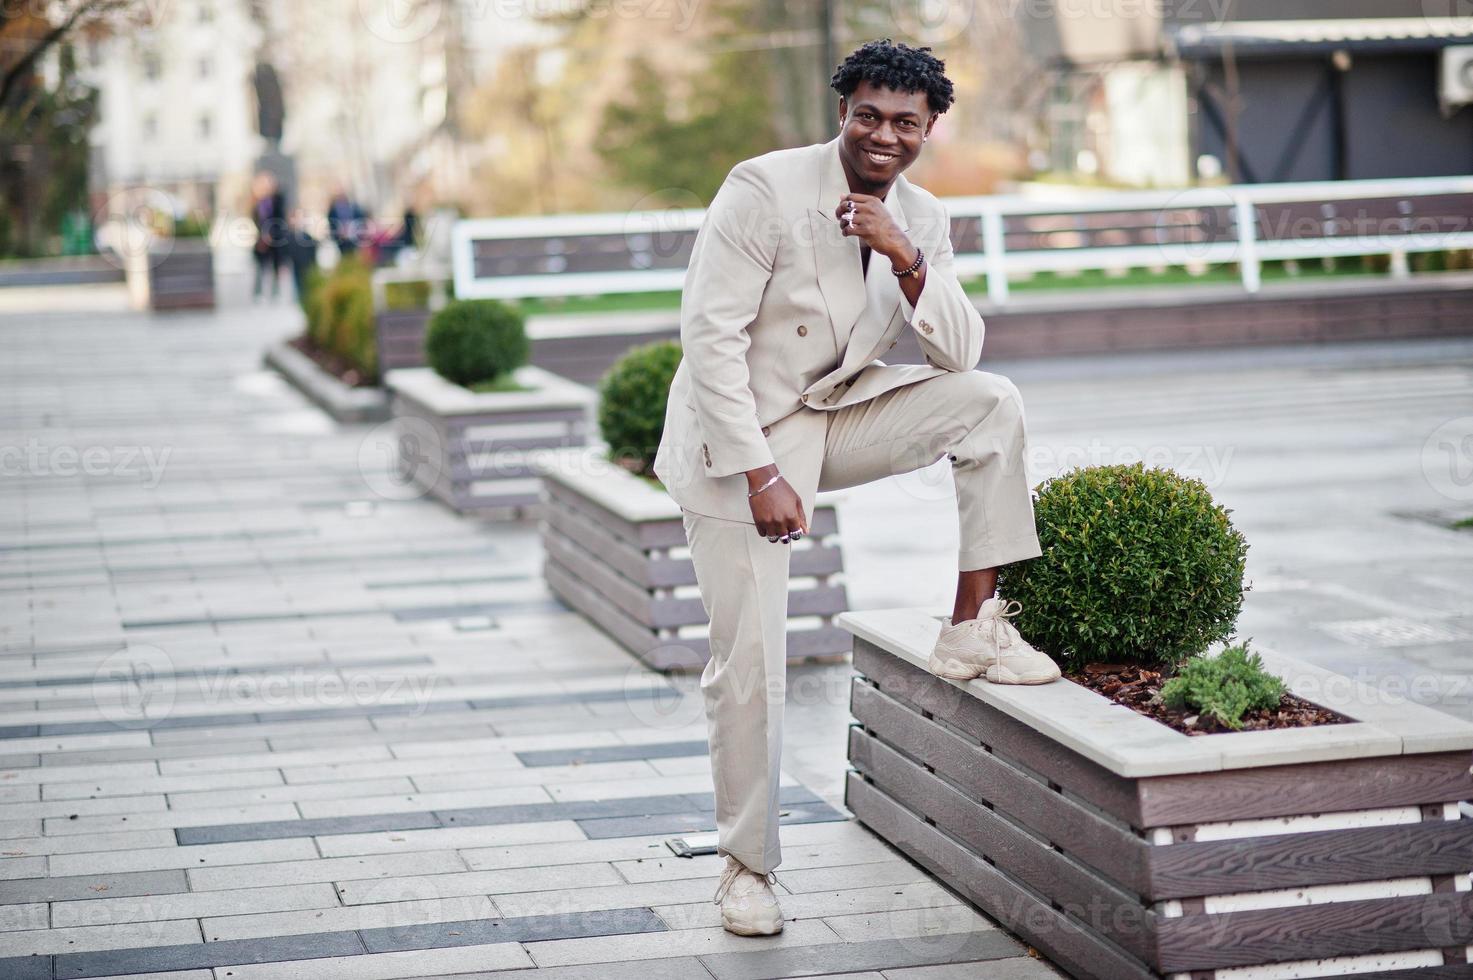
(351, 736)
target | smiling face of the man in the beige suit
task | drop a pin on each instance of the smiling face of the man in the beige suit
(882, 135)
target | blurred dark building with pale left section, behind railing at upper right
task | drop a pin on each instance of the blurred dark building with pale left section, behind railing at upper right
(1256, 91)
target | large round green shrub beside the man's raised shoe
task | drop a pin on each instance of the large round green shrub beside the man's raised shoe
(1139, 567)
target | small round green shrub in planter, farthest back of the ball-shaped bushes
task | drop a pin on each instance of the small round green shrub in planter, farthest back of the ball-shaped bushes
(472, 341)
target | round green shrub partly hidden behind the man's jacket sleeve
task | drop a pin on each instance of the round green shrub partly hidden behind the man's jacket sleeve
(631, 403)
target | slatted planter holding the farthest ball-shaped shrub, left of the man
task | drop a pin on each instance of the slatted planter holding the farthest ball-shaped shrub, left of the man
(475, 452)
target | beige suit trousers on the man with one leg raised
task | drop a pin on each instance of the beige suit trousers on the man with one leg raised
(974, 418)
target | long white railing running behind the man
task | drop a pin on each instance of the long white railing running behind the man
(1397, 238)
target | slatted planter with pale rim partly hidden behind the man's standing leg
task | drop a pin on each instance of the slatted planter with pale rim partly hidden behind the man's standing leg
(616, 552)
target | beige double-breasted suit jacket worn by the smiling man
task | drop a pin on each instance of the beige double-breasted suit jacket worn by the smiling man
(780, 325)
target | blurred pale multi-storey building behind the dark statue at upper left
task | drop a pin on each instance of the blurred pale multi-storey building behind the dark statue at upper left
(369, 92)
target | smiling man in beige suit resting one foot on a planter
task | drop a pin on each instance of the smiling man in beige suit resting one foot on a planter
(808, 266)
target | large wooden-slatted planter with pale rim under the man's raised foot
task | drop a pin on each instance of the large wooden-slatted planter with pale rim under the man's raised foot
(1122, 848)
